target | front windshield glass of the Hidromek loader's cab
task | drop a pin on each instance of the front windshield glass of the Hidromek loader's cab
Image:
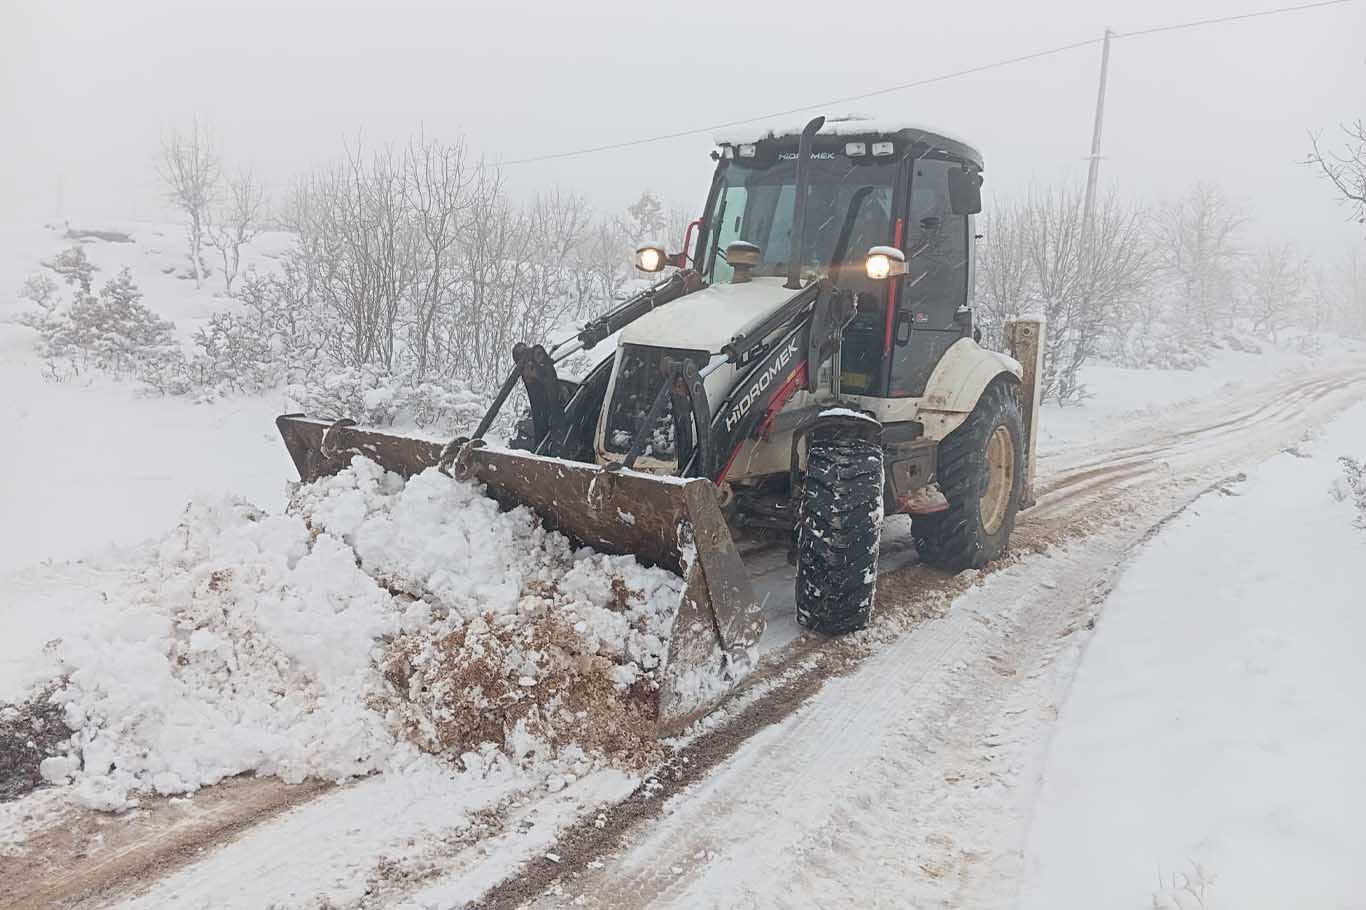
(849, 210)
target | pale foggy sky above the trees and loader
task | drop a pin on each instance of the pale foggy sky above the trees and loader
(89, 85)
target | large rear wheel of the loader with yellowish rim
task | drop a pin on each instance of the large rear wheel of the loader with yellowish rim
(981, 472)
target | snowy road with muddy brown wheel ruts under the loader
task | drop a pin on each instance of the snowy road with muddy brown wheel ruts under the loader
(906, 780)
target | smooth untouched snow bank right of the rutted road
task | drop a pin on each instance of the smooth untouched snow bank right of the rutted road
(1214, 736)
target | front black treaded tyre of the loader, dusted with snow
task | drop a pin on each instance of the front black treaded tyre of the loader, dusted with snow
(838, 534)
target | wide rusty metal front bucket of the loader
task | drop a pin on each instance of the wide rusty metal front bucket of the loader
(666, 521)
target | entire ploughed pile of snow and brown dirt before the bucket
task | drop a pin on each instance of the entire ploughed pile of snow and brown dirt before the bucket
(374, 620)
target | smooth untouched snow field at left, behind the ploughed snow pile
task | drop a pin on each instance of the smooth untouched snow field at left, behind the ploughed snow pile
(89, 464)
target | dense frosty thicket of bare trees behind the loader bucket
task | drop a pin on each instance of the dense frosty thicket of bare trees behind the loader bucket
(416, 267)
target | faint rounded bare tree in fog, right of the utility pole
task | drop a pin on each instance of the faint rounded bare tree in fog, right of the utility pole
(1199, 252)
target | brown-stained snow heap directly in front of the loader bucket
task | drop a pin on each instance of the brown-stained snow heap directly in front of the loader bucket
(516, 639)
